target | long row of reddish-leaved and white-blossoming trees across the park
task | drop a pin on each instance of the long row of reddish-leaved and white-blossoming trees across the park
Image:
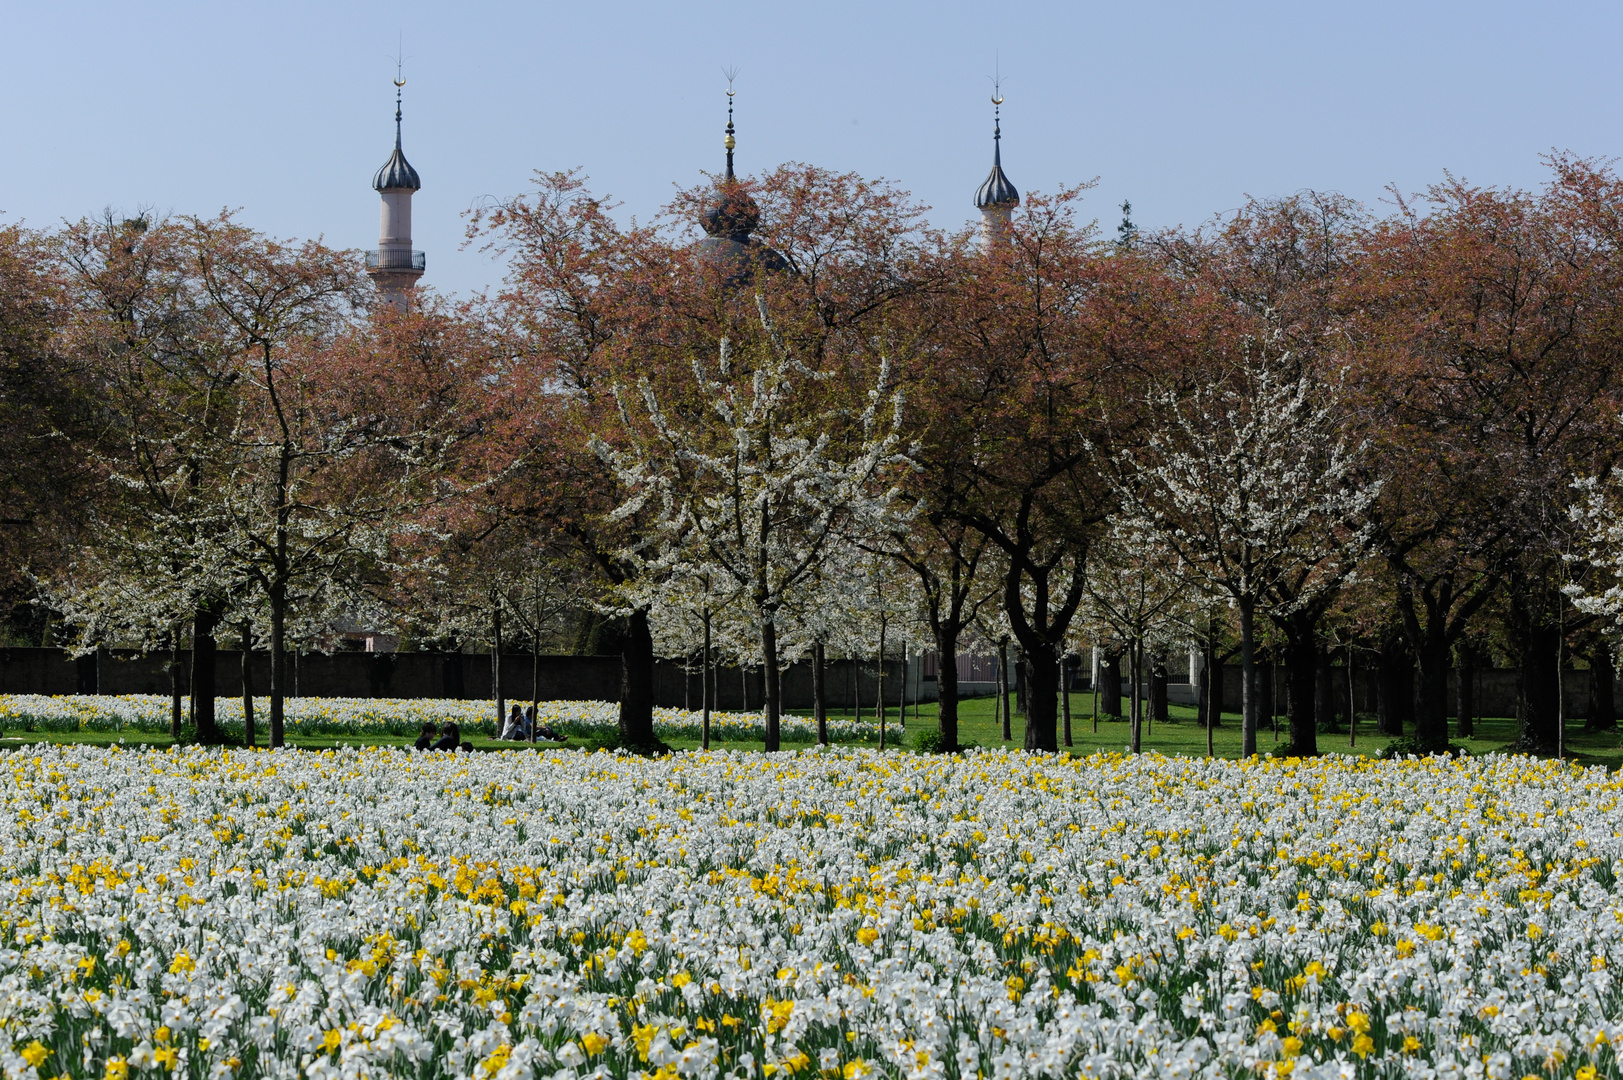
(1306, 425)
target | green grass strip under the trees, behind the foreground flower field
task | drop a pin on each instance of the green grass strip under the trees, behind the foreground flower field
(978, 727)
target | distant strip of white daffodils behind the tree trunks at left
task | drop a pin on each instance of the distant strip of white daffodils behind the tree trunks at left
(395, 717)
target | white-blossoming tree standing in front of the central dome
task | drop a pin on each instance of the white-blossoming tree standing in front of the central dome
(754, 488)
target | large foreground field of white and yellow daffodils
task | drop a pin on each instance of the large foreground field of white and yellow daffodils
(832, 914)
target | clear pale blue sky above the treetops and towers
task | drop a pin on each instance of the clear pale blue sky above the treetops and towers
(285, 110)
